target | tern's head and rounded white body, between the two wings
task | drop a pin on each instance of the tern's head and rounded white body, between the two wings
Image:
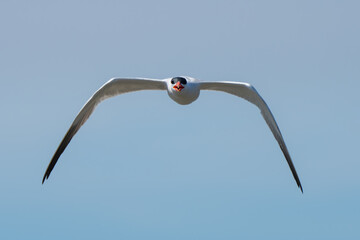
(183, 90)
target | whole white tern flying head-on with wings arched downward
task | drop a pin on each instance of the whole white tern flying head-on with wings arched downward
(183, 90)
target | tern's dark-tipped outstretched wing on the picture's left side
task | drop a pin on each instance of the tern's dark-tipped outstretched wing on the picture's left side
(112, 88)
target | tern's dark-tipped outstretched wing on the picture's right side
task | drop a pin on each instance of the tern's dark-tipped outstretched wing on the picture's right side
(249, 93)
